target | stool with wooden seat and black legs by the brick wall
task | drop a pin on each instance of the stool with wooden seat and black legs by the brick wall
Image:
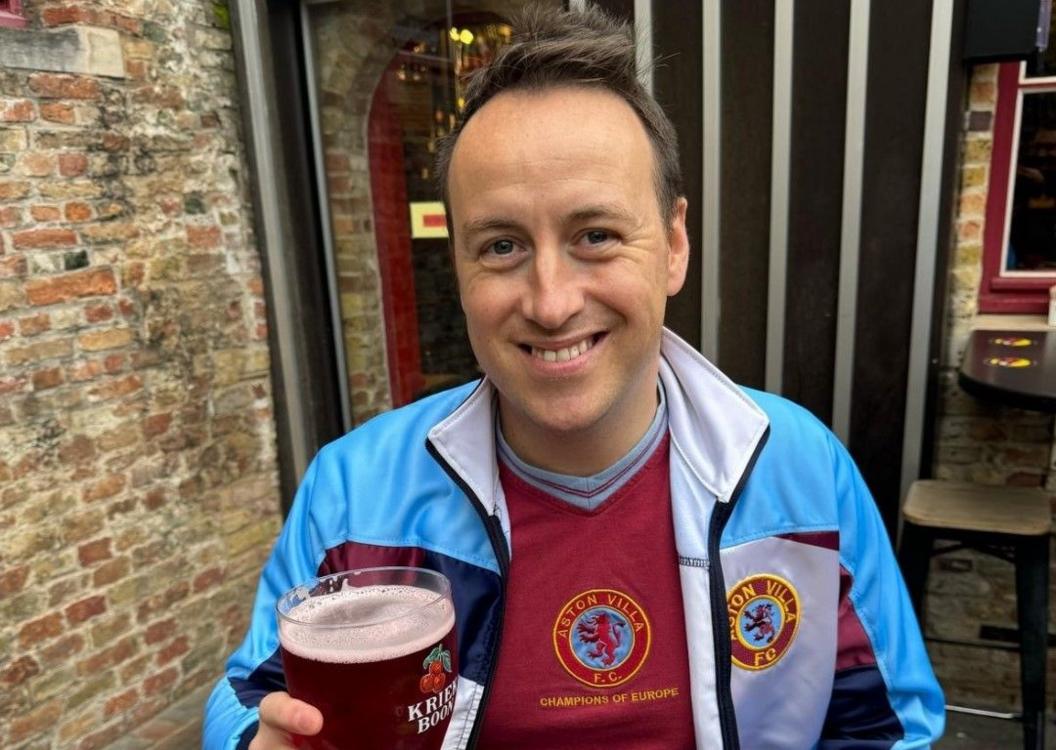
(1012, 523)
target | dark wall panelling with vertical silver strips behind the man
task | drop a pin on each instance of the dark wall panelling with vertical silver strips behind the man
(803, 125)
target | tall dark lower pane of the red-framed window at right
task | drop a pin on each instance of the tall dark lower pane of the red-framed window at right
(1032, 239)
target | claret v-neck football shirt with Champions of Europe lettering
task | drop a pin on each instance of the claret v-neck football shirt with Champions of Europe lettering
(594, 643)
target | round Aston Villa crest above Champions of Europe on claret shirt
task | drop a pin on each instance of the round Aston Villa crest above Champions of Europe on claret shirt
(602, 637)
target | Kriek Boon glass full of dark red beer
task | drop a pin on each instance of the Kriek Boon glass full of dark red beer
(374, 650)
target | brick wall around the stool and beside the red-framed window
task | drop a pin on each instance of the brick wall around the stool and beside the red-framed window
(979, 443)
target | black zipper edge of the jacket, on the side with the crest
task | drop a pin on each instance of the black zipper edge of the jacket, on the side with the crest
(721, 625)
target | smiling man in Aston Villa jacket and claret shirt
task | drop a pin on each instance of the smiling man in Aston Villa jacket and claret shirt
(644, 555)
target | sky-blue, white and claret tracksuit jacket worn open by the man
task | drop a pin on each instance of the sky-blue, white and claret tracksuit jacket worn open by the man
(762, 493)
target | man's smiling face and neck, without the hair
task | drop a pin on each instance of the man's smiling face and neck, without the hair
(564, 266)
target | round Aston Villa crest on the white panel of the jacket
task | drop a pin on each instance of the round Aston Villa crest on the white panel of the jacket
(764, 614)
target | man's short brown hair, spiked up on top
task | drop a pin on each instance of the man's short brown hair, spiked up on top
(552, 48)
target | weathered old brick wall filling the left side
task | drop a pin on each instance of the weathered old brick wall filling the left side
(138, 470)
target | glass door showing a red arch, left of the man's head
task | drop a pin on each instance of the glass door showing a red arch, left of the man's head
(388, 83)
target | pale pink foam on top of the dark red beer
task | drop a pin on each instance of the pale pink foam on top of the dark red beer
(397, 624)
